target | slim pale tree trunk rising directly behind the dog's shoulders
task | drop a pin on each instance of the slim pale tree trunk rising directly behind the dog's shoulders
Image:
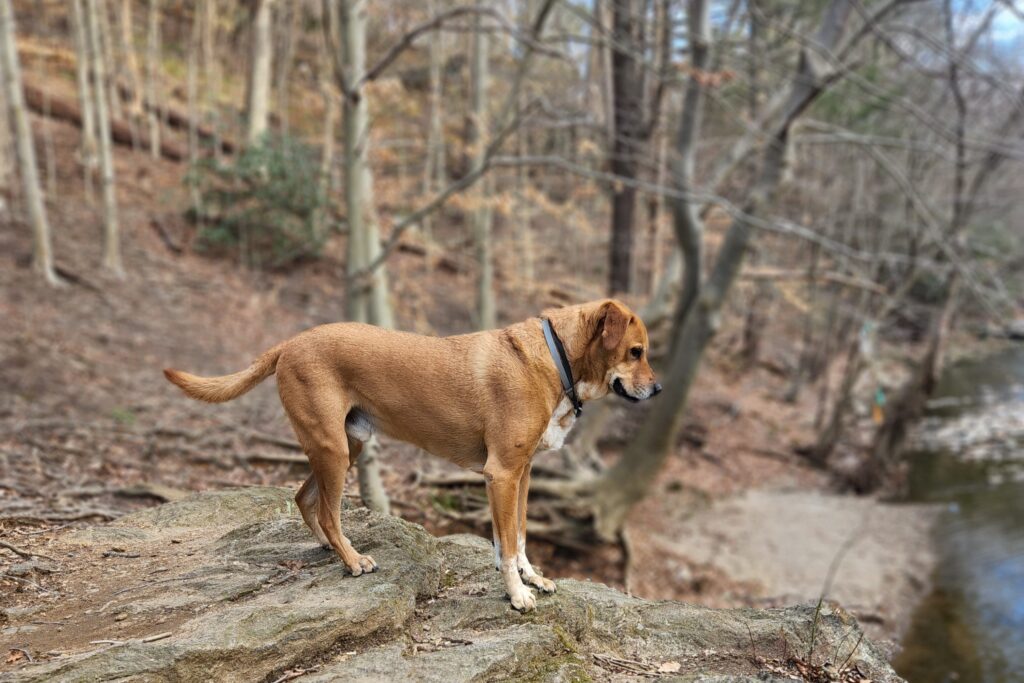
(483, 218)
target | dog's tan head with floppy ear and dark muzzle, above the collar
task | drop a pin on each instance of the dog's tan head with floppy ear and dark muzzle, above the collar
(613, 341)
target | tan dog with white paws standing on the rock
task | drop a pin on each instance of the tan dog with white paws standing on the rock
(487, 402)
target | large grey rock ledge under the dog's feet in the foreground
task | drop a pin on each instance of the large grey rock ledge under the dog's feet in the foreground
(245, 593)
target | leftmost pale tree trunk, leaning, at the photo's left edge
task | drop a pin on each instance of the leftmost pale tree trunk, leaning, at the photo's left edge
(11, 71)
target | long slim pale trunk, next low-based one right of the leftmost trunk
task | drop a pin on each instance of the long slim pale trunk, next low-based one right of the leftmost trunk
(112, 237)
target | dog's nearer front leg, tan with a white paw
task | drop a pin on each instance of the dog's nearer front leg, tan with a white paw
(503, 493)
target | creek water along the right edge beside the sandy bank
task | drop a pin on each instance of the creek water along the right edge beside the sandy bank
(969, 455)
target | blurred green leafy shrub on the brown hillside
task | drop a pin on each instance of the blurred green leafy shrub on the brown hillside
(265, 204)
